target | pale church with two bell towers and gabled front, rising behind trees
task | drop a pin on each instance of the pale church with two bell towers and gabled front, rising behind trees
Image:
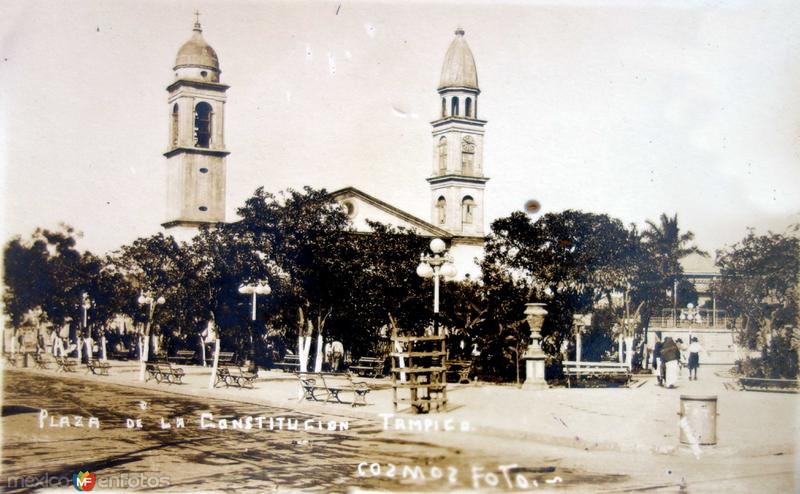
(196, 168)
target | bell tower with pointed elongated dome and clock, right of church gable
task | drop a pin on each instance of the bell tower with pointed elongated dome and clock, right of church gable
(457, 182)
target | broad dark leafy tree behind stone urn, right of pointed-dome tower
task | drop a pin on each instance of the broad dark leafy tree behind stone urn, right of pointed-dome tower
(570, 260)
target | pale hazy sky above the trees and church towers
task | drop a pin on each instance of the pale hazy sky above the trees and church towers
(630, 108)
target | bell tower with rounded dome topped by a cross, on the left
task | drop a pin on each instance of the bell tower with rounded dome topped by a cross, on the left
(196, 150)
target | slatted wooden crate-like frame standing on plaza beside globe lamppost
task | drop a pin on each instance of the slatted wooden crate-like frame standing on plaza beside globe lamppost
(418, 372)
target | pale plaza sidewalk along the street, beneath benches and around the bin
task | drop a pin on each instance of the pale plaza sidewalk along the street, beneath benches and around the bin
(642, 418)
